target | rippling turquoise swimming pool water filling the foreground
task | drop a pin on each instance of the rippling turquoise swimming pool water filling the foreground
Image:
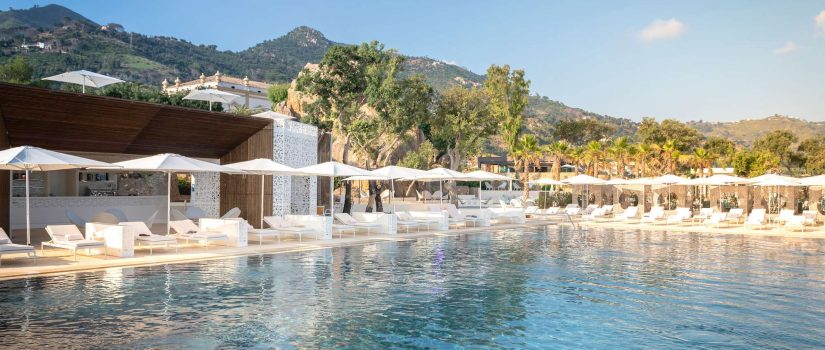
(503, 289)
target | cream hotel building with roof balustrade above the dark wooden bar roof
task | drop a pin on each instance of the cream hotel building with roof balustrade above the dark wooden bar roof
(253, 92)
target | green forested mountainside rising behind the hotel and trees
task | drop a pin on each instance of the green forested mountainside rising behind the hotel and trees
(74, 42)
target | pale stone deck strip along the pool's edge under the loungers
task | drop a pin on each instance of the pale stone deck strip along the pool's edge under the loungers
(59, 261)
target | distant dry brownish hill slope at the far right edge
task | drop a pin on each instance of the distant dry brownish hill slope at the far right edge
(744, 132)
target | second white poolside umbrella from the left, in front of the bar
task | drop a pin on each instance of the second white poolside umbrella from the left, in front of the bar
(173, 163)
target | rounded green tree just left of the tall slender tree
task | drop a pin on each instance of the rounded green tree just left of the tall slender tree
(462, 122)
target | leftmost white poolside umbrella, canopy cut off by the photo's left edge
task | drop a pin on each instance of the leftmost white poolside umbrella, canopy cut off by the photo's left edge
(28, 159)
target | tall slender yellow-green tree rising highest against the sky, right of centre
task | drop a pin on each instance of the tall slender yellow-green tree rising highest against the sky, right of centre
(508, 93)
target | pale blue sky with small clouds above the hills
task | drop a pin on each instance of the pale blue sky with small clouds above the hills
(689, 60)
